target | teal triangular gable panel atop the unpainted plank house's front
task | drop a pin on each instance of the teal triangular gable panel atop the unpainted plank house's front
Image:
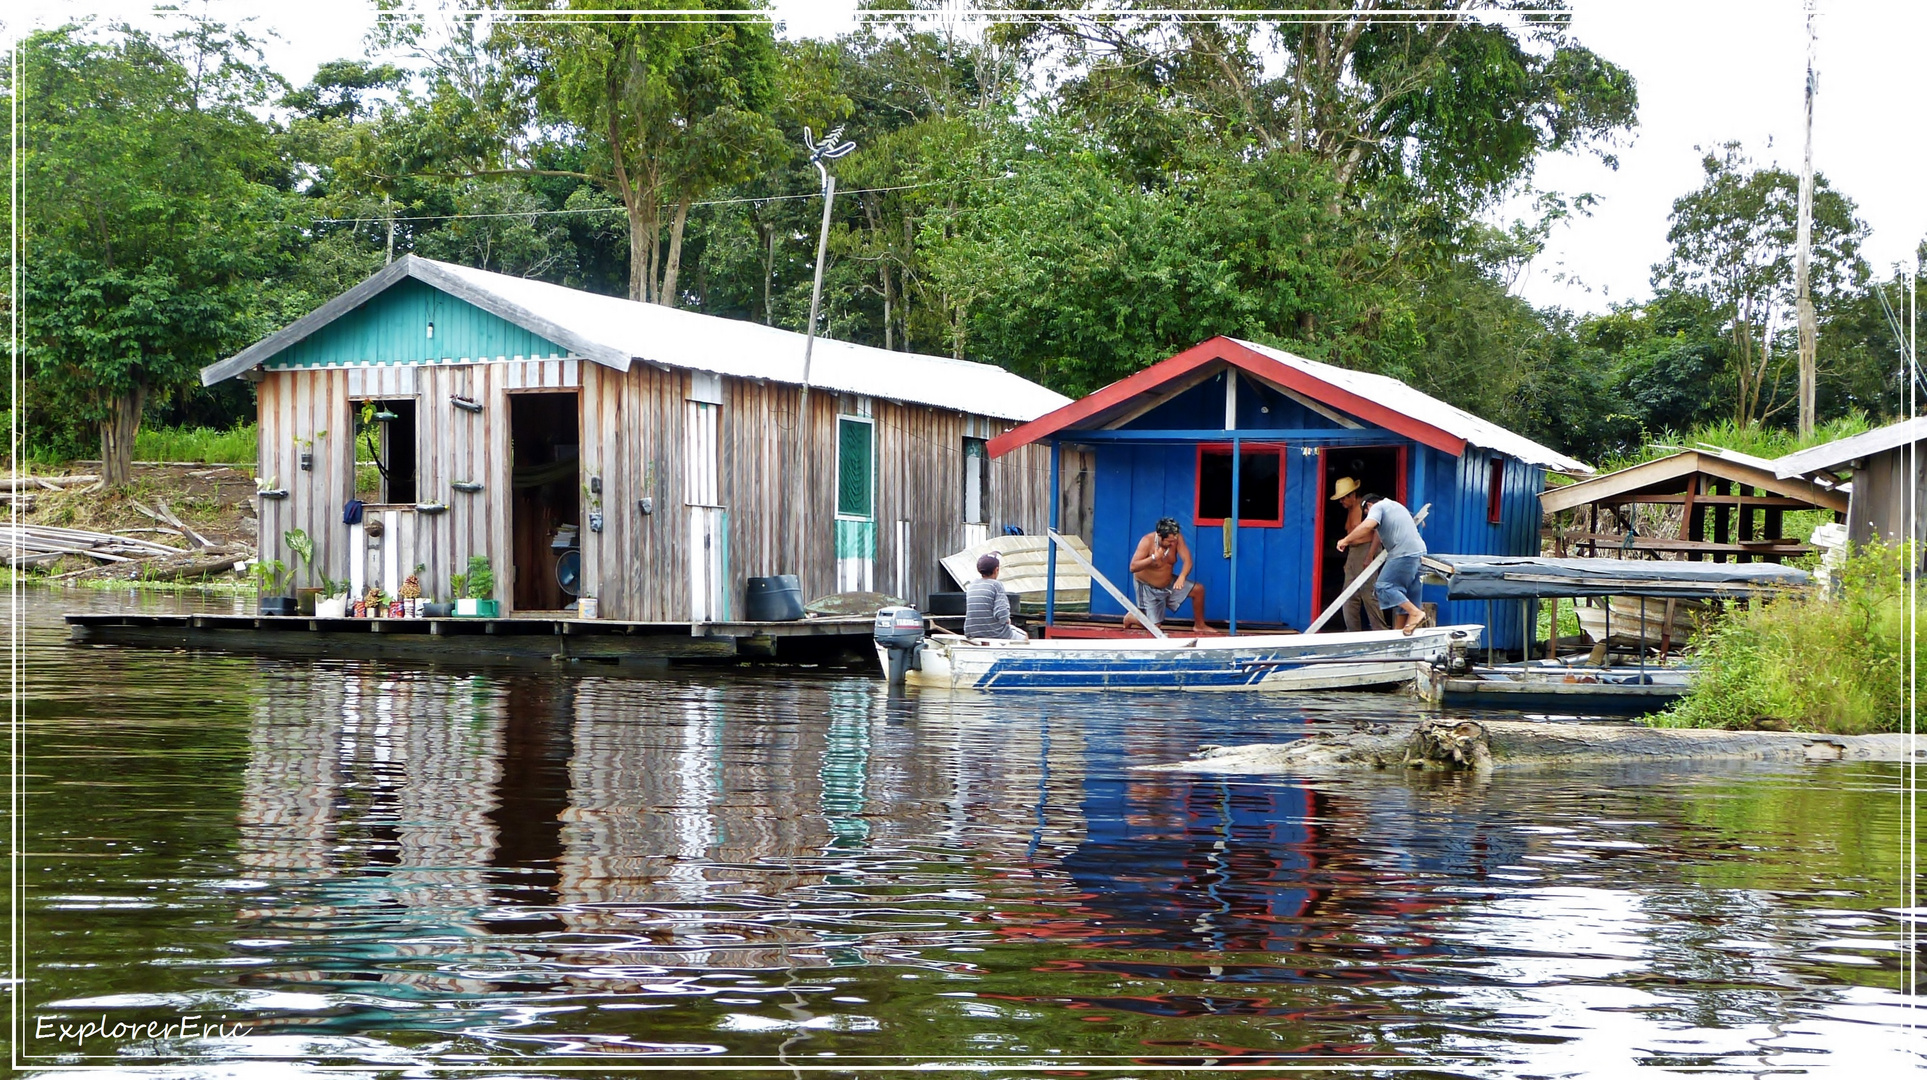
(392, 329)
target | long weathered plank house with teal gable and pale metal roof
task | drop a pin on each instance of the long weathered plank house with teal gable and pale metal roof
(683, 454)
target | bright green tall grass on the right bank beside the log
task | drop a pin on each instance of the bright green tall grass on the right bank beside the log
(1834, 662)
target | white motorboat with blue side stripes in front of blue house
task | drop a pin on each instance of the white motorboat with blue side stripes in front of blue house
(1261, 662)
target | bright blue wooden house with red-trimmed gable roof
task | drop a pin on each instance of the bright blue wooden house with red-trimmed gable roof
(1163, 441)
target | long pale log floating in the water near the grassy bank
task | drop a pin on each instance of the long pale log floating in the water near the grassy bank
(1510, 745)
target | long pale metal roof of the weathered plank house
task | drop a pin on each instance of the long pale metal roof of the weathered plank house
(614, 333)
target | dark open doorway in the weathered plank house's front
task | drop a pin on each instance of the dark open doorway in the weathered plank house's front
(546, 443)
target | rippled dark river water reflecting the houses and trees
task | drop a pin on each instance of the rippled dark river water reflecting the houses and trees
(236, 861)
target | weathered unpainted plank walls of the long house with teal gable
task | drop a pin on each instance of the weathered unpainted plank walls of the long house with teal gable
(781, 497)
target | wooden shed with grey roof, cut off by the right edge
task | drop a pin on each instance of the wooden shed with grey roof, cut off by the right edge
(1889, 479)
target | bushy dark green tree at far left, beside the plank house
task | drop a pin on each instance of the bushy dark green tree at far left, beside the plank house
(153, 211)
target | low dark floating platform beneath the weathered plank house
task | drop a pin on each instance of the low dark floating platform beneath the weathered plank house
(514, 639)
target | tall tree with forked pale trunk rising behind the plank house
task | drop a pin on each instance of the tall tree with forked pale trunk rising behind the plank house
(662, 103)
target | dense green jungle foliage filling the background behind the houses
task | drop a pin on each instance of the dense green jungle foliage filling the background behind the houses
(1072, 194)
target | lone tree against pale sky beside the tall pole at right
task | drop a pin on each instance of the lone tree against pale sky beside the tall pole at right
(1733, 244)
